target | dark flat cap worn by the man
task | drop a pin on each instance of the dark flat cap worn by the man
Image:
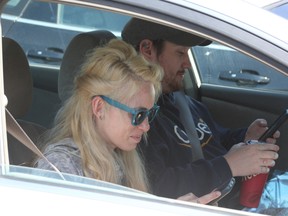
(137, 30)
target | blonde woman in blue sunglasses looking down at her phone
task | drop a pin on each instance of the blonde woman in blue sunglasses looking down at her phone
(98, 128)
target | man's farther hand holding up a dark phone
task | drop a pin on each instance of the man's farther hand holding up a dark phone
(257, 128)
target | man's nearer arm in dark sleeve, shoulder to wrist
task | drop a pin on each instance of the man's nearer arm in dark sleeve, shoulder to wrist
(171, 171)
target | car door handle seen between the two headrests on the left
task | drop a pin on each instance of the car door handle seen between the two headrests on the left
(50, 54)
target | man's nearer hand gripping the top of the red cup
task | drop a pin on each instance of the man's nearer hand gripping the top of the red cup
(252, 159)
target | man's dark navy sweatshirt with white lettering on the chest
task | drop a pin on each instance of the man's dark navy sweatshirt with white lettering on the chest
(168, 153)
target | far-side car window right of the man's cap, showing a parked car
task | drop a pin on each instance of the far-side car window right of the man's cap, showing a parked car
(221, 65)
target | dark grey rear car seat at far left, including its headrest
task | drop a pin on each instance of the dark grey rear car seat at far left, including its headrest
(18, 87)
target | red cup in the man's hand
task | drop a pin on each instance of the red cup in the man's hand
(252, 189)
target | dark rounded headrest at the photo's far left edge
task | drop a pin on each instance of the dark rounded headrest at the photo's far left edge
(18, 84)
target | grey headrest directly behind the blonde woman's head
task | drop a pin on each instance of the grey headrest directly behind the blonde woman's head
(74, 57)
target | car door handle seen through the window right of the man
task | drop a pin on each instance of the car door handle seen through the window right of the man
(244, 76)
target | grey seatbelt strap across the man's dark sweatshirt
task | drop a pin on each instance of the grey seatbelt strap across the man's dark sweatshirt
(188, 122)
